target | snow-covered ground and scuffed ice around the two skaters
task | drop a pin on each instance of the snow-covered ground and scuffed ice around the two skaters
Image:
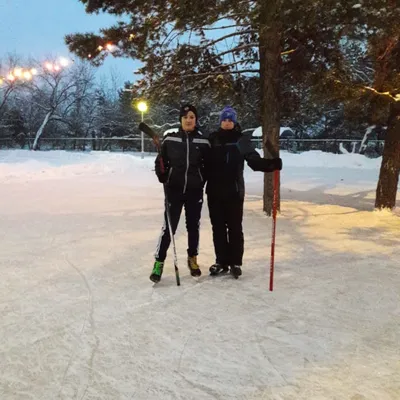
(79, 318)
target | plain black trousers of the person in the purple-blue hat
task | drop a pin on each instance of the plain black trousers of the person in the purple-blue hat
(226, 215)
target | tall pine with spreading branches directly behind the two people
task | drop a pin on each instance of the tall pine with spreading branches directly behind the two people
(302, 39)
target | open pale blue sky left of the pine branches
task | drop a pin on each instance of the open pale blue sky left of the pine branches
(36, 28)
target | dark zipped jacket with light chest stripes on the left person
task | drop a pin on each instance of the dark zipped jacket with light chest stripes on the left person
(185, 156)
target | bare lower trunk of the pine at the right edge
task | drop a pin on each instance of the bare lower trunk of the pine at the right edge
(386, 191)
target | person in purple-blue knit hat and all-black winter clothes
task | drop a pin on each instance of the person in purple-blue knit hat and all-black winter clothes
(226, 190)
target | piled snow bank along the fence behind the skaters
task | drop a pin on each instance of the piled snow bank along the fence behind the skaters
(57, 164)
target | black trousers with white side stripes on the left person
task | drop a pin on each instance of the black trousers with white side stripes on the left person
(192, 201)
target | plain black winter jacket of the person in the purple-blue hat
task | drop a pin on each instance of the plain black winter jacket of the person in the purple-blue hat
(229, 149)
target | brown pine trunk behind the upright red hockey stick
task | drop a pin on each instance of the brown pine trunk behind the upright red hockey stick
(270, 66)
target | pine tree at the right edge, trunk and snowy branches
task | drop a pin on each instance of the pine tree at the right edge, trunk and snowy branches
(370, 74)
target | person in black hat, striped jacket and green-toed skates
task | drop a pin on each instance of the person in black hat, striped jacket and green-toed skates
(184, 155)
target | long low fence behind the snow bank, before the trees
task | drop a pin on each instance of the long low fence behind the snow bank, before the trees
(117, 144)
